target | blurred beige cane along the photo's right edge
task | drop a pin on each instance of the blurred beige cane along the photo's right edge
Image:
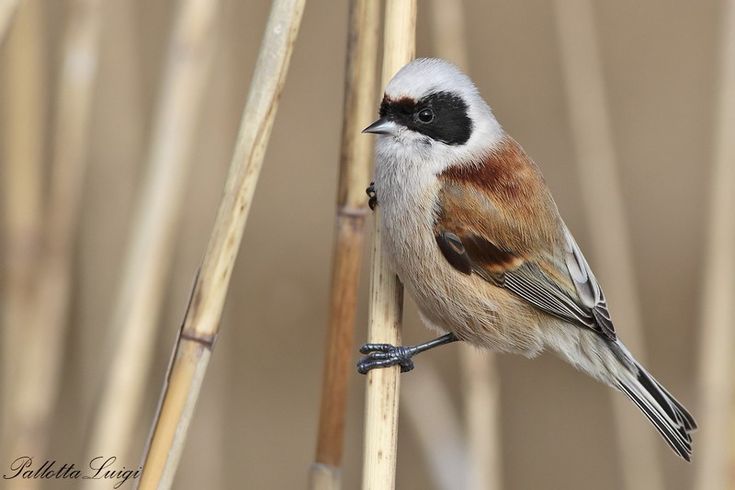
(718, 311)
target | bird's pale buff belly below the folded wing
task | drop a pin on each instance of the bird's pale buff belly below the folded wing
(449, 300)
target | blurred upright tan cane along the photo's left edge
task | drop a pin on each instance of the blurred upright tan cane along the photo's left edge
(21, 167)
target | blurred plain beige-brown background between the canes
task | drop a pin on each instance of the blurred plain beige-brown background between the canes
(255, 425)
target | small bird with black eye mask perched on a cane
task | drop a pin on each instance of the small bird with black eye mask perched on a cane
(473, 233)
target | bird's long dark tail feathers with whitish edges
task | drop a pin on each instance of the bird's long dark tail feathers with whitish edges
(670, 418)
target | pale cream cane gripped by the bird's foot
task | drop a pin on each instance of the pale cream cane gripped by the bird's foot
(386, 292)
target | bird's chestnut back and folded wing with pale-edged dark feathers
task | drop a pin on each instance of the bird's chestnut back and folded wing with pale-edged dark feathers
(517, 242)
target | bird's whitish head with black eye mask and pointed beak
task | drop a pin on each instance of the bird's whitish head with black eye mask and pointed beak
(433, 111)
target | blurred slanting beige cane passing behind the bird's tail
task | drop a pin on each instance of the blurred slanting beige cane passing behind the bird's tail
(597, 168)
